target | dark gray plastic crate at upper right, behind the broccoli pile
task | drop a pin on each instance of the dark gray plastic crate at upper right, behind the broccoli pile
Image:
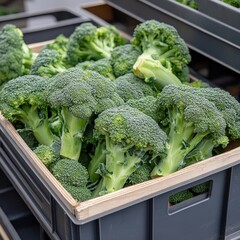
(213, 30)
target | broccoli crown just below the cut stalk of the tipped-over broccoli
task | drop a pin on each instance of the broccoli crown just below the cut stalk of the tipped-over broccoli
(131, 87)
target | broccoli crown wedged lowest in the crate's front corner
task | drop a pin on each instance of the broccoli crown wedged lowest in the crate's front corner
(78, 193)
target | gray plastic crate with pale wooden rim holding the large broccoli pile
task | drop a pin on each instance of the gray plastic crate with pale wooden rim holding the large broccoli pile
(143, 211)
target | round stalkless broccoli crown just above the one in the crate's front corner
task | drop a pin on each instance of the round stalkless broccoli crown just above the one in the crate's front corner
(70, 172)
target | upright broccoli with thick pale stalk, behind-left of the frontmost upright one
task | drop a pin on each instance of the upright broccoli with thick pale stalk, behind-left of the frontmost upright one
(79, 95)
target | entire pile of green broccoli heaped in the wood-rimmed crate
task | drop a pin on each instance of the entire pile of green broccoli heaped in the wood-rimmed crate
(102, 113)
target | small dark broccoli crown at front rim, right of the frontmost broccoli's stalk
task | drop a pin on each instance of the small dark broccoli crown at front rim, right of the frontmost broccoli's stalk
(141, 174)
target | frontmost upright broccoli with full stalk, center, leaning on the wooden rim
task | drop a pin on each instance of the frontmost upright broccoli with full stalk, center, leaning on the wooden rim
(131, 137)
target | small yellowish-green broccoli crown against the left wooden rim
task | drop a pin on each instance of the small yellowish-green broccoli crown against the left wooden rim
(47, 155)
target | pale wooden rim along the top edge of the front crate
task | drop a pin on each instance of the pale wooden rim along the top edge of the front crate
(82, 212)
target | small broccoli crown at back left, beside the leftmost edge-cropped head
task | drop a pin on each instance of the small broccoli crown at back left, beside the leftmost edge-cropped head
(48, 63)
